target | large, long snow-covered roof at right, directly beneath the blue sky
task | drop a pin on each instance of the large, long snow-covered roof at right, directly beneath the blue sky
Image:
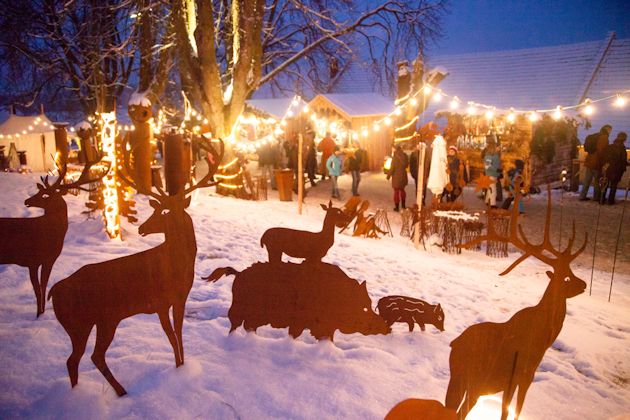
(543, 78)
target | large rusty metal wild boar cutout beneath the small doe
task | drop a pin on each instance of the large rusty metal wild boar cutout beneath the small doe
(321, 298)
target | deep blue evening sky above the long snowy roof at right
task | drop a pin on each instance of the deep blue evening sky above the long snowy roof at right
(491, 25)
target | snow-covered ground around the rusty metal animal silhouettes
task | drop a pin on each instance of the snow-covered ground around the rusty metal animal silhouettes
(585, 375)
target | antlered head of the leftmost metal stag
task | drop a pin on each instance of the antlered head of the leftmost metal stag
(51, 196)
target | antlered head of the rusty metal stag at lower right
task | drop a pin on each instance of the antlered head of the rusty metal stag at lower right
(564, 283)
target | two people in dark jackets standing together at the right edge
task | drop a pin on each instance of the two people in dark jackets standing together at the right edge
(604, 165)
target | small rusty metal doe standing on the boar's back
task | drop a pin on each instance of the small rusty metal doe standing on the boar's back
(312, 246)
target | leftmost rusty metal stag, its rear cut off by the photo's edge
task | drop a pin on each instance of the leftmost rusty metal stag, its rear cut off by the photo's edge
(36, 242)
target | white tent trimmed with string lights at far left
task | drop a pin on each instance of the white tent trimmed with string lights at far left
(33, 134)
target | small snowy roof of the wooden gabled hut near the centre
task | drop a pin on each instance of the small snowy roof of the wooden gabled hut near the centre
(360, 104)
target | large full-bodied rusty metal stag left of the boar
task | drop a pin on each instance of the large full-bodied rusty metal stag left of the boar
(152, 281)
